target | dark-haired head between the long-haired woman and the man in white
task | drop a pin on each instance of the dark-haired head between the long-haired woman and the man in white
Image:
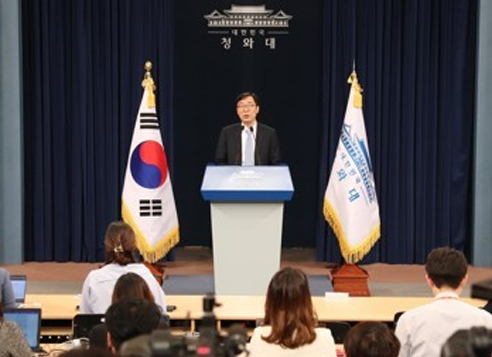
(371, 339)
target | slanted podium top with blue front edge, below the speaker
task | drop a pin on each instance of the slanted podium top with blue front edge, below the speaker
(247, 184)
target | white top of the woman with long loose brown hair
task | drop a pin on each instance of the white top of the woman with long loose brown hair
(322, 346)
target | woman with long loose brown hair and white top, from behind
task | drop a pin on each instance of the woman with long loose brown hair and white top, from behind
(290, 321)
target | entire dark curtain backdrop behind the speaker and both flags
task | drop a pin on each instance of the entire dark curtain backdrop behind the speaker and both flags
(83, 64)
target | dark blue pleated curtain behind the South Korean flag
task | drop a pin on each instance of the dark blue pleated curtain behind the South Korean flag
(83, 67)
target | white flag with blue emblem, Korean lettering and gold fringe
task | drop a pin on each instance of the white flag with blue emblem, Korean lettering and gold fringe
(350, 203)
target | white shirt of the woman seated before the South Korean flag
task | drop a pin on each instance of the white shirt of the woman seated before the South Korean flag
(98, 287)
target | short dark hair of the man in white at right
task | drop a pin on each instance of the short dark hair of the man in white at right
(446, 267)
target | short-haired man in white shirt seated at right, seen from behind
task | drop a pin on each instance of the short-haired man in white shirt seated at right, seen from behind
(423, 330)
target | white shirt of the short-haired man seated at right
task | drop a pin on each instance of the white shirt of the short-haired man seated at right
(422, 331)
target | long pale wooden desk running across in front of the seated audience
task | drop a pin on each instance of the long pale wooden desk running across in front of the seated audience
(58, 310)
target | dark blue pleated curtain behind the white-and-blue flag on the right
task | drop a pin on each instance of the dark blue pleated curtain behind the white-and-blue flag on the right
(416, 63)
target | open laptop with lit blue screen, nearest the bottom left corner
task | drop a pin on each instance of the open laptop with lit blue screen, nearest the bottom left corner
(29, 321)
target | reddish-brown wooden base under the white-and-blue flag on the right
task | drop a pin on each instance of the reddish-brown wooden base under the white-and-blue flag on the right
(352, 279)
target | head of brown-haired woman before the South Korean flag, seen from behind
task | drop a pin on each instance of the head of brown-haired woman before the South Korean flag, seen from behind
(119, 243)
